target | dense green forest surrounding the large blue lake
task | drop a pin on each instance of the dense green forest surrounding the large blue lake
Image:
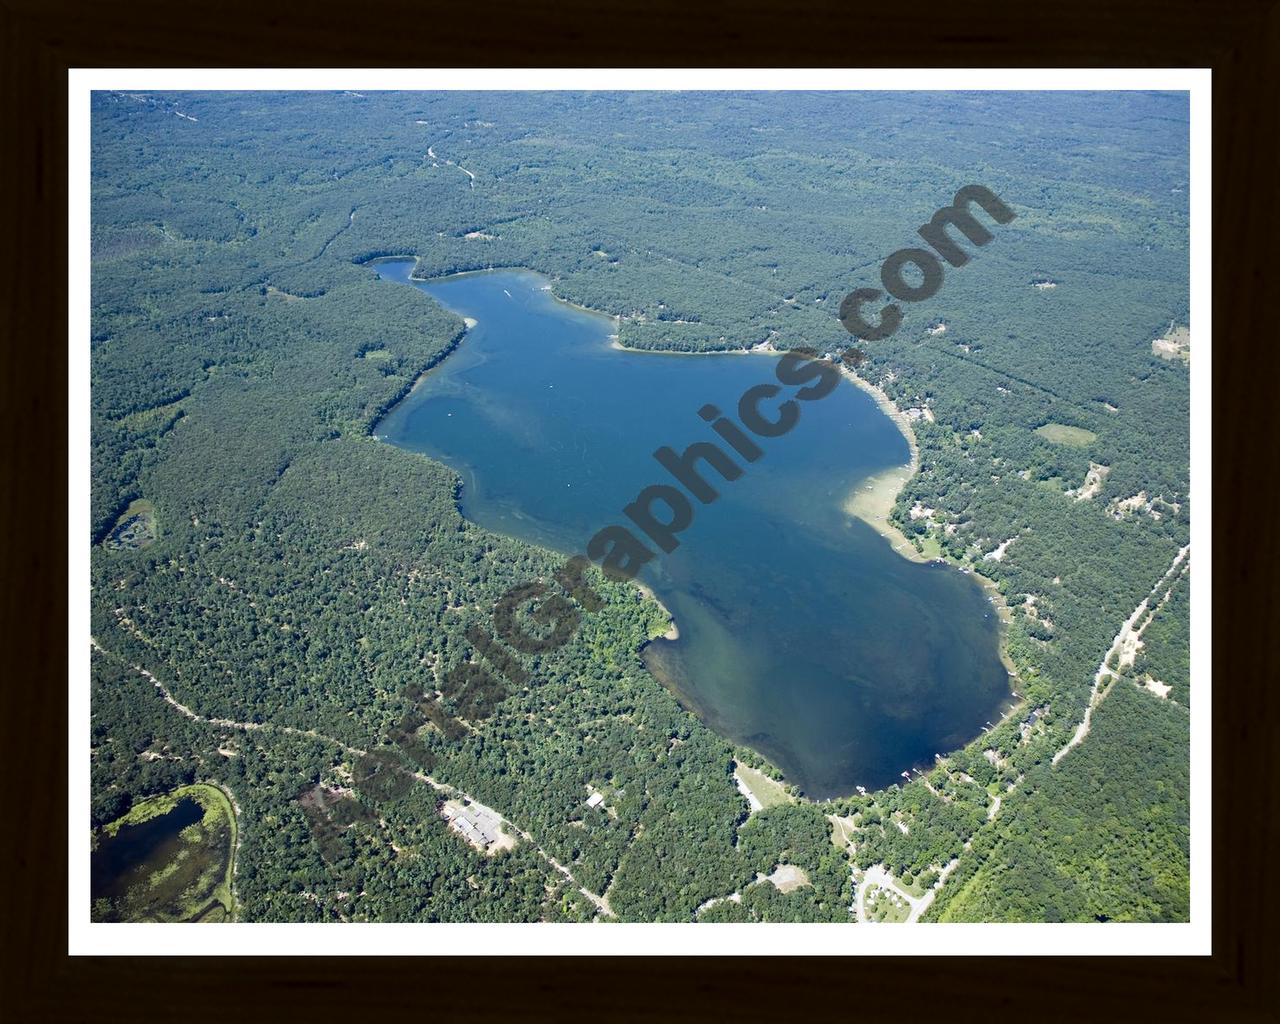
(300, 589)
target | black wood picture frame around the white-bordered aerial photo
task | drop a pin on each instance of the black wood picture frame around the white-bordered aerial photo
(1238, 39)
